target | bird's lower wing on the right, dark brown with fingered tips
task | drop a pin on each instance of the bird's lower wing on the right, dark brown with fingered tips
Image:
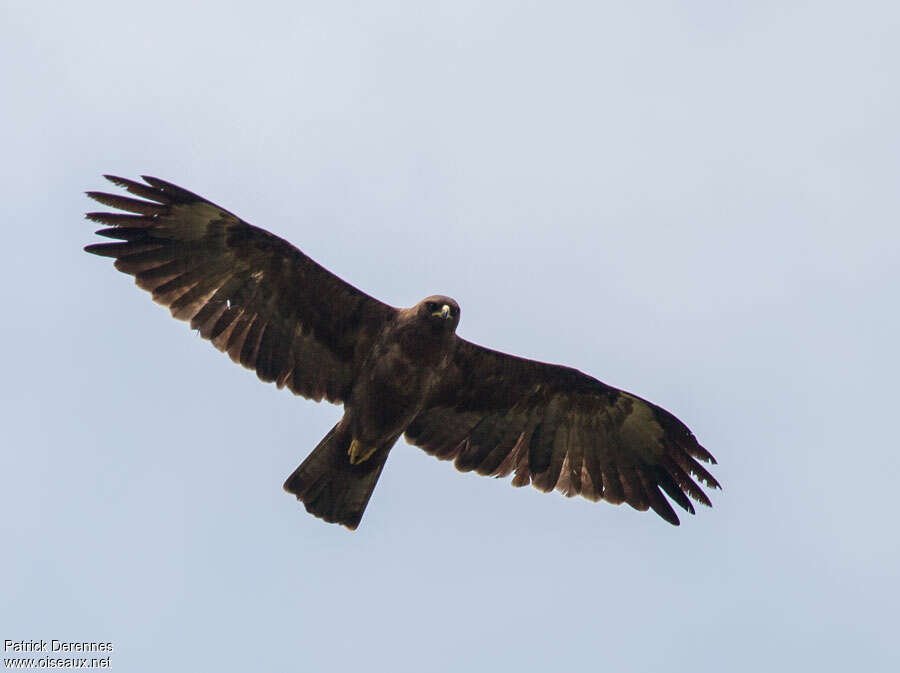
(560, 429)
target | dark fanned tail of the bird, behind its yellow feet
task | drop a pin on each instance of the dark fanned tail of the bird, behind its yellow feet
(329, 486)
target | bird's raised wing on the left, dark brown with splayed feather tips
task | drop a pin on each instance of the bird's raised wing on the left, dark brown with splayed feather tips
(254, 295)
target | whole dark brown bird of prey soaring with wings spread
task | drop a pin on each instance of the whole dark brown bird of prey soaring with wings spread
(396, 371)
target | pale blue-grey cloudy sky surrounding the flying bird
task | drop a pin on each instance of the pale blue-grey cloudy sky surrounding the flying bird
(695, 201)
